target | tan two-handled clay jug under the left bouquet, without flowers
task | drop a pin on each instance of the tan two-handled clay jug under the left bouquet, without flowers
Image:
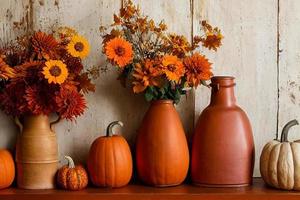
(36, 153)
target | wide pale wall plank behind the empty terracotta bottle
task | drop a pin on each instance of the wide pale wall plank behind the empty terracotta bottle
(249, 53)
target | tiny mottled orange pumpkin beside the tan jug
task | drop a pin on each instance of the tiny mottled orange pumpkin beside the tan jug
(71, 177)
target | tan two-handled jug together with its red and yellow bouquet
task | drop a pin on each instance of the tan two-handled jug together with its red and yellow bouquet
(42, 74)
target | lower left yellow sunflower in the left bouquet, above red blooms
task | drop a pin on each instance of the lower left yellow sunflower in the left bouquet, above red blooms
(55, 71)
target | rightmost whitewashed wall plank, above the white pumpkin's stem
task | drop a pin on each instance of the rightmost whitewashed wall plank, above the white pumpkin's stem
(289, 65)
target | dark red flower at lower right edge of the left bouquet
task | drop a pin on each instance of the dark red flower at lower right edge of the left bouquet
(70, 103)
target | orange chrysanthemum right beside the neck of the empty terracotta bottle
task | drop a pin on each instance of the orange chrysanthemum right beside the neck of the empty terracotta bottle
(197, 68)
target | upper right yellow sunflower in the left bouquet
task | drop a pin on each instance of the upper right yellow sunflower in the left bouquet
(78, 47)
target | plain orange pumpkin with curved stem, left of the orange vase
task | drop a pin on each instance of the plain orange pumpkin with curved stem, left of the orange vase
(110, 161)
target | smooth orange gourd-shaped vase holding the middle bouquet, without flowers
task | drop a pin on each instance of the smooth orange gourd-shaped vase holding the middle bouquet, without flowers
(162, 154)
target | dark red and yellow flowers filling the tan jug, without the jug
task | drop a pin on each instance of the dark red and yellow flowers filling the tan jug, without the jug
(43, 73)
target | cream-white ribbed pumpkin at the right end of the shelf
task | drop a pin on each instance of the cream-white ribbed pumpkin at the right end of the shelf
(280, 161)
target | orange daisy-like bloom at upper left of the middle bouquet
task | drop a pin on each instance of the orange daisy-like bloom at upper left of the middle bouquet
(119, 51)
